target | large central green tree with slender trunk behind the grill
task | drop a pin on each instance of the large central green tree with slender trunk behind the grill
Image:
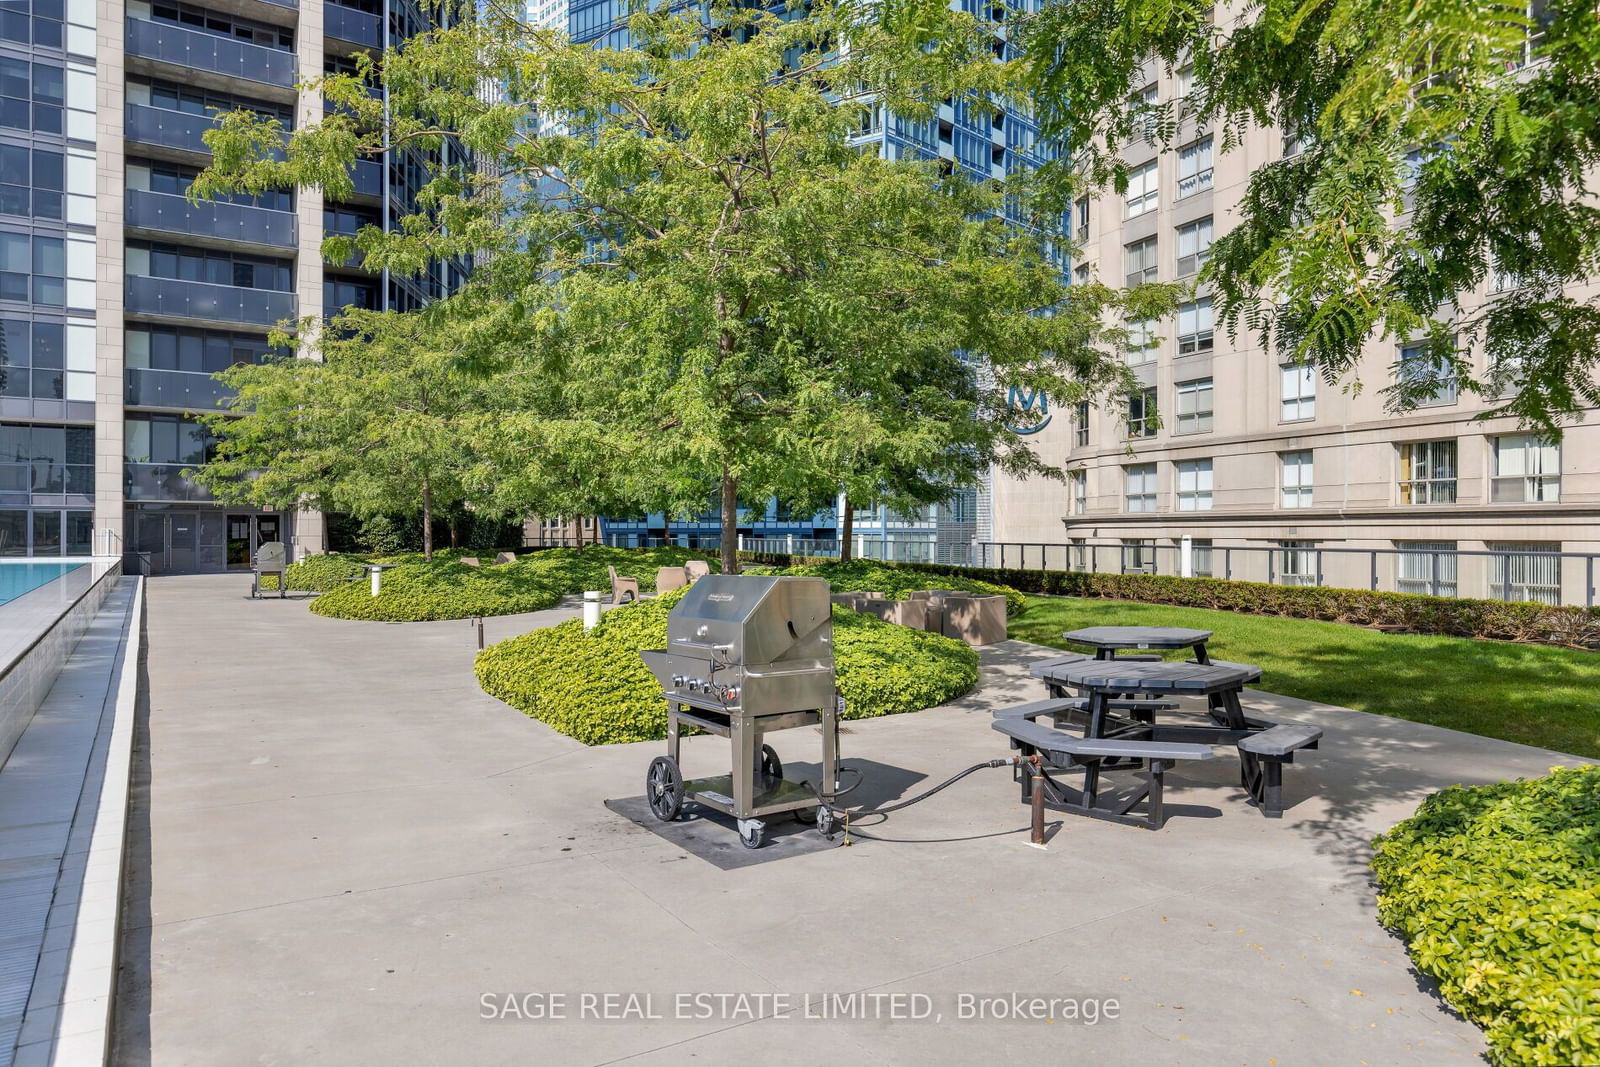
(716, 279)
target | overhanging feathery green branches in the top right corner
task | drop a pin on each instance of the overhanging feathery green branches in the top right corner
(1442, 143)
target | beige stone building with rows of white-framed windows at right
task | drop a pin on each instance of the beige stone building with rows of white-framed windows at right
(1310, 482)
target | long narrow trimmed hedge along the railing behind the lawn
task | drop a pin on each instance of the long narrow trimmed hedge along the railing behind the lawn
(1450, 617)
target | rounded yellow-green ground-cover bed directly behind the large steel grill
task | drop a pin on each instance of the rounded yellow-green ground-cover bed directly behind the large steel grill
(596, 689)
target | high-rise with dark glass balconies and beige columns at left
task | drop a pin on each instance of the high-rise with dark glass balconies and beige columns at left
(119, 298)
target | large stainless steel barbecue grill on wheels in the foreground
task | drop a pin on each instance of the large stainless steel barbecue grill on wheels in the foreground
(748, 657)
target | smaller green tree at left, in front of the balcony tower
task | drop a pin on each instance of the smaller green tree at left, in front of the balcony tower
(374, 417)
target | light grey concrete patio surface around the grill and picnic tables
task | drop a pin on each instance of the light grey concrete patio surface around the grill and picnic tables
(342, 845)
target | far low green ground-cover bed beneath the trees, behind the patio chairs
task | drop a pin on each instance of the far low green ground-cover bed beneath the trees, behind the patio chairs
(446, 588)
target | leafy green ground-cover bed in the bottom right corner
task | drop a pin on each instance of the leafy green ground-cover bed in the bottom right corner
(1497, 892)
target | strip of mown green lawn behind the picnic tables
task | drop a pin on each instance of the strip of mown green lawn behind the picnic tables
(1534, 695)
